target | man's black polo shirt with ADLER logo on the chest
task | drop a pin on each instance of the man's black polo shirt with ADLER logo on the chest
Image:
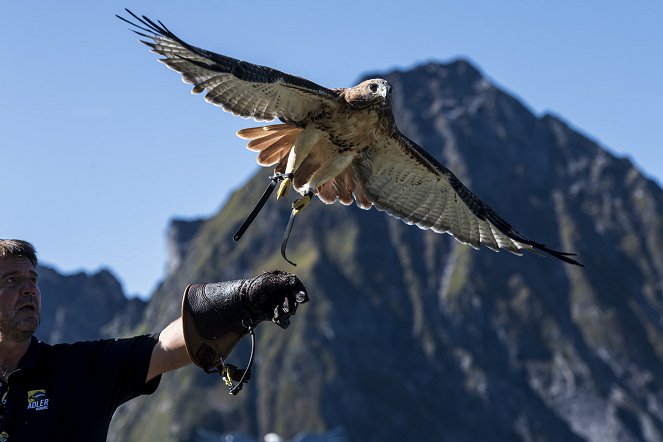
(69, 392)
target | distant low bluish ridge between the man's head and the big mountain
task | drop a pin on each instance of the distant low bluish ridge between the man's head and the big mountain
(82, 306)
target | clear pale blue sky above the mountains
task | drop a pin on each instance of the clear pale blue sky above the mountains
(100, 145)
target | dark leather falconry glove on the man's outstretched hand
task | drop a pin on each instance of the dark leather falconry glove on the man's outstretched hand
(215, 316)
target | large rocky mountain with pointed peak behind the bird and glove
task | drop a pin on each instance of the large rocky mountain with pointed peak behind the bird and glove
(412, 336)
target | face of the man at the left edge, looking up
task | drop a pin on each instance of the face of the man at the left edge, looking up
(20, 299)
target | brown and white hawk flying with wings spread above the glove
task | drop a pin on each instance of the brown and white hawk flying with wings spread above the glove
(340, 144)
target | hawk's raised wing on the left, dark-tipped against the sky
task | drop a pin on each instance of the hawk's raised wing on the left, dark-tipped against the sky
(242, 88)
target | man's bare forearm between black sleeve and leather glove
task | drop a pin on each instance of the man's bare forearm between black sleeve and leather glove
(170, 352)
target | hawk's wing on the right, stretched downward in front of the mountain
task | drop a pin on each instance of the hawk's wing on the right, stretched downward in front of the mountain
(402, 179)
